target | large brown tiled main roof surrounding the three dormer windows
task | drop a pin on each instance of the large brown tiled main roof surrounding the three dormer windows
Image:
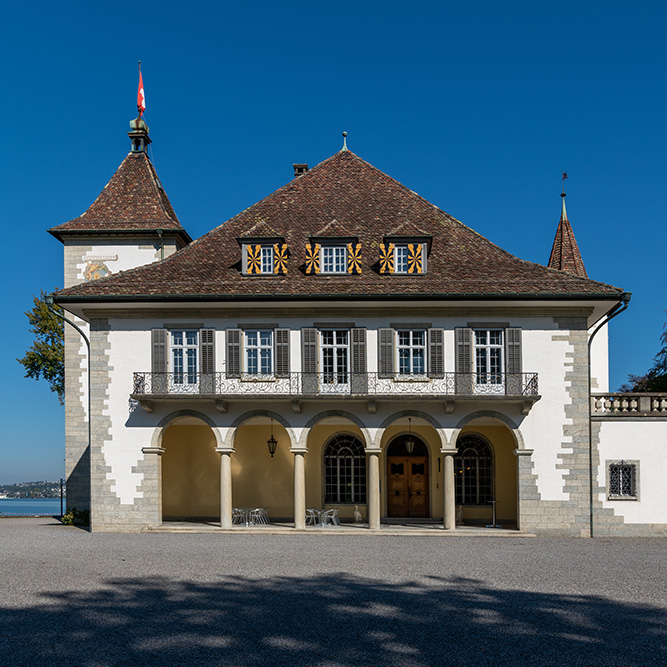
(366, 203)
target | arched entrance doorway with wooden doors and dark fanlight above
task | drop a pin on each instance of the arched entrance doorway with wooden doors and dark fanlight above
(407, 478)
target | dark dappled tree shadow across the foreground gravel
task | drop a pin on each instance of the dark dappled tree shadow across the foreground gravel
(327, 620)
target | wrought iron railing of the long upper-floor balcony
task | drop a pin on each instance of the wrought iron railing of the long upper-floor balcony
(300, 385)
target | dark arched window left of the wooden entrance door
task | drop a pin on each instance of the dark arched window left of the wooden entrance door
(344, 471)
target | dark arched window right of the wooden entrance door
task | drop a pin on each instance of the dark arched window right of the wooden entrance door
(473, 471)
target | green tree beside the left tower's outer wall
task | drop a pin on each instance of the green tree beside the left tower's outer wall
(46, 356)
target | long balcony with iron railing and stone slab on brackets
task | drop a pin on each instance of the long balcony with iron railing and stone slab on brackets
(297, 387)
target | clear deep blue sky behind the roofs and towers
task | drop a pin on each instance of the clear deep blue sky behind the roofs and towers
(477, 106)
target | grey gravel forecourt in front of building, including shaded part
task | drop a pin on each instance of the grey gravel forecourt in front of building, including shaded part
(68, 597)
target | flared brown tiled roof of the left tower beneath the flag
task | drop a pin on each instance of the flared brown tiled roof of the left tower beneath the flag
(133, 201)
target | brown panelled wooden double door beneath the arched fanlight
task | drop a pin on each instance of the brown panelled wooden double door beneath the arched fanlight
(407, 486)
